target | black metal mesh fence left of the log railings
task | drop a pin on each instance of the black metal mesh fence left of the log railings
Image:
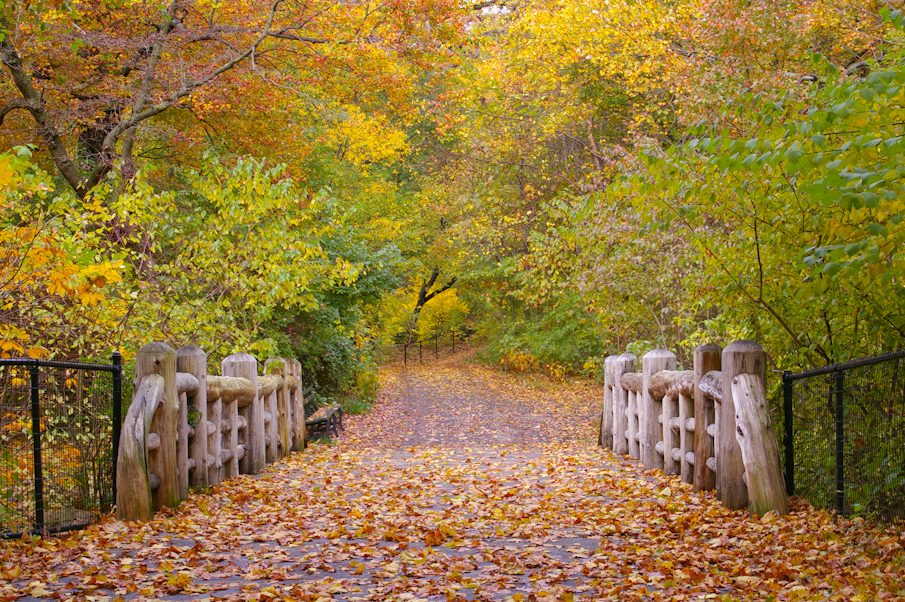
(59, 432)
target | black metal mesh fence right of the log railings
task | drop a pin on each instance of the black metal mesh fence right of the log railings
(844, 436)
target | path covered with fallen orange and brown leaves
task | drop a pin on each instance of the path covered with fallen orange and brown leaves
(462, 484)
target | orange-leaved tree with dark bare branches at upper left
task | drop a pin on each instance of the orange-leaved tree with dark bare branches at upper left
(97, 78)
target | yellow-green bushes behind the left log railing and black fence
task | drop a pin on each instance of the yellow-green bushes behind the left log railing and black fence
(241, 259)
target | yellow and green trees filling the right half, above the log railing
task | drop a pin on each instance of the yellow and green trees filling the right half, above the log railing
(681, 198)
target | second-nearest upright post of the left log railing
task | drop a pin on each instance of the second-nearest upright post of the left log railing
(192, 360)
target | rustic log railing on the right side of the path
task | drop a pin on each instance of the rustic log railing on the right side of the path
(710, 425)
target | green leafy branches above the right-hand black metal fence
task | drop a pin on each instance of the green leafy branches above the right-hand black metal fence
(802, 218)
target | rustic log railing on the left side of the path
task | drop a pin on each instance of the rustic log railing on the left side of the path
(186, 428)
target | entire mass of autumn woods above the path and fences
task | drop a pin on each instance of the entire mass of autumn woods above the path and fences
(314, 179)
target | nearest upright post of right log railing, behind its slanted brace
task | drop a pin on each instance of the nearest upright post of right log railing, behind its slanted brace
(740, 357)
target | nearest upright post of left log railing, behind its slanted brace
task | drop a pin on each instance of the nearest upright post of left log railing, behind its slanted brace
(158, 358)
